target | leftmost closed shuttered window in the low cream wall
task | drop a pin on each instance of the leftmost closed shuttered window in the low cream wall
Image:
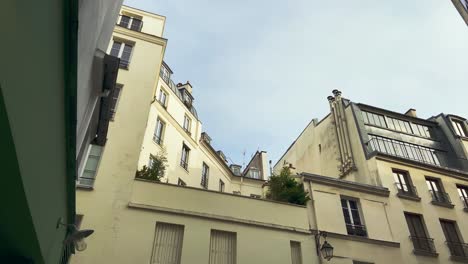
(168, 243)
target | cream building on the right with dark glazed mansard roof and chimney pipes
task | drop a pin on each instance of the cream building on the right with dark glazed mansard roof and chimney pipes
(387, 181)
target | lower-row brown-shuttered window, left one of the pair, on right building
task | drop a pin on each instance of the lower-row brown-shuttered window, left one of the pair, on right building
(418, 234)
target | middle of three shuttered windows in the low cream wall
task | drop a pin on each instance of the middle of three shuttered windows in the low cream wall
(223, 247)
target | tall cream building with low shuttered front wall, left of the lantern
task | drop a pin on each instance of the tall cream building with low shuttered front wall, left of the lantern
(182, 219)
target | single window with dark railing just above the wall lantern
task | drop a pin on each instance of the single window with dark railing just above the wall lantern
(354, 223)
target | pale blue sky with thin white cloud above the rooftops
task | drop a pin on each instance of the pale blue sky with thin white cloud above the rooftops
(261, 70)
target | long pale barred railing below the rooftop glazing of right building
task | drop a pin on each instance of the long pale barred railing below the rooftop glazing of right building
(403, 150)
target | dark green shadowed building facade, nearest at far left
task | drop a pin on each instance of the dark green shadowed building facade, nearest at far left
(46, 91)
